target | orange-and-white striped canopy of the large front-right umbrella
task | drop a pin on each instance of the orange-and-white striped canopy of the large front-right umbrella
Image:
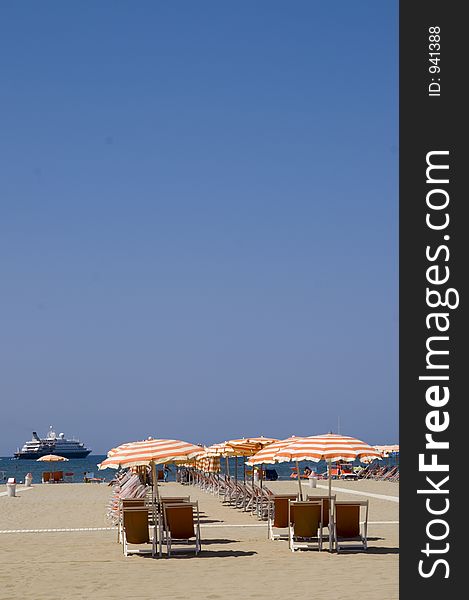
(330, 447)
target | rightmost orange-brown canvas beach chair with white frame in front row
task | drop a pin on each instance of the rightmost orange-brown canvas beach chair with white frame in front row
(349, 532)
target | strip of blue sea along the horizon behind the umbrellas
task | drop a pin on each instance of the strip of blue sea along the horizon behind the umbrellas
(76, 468)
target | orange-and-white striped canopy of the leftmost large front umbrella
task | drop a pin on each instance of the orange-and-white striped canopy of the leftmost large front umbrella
(149, 451)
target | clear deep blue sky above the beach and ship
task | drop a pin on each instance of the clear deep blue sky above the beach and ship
(198, 220)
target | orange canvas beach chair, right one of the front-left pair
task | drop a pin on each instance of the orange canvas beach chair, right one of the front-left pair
(179, 524)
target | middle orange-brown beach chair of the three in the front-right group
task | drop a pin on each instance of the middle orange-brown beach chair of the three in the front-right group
(305, 525)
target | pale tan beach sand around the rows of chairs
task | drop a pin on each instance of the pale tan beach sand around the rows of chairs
(237, 559)
